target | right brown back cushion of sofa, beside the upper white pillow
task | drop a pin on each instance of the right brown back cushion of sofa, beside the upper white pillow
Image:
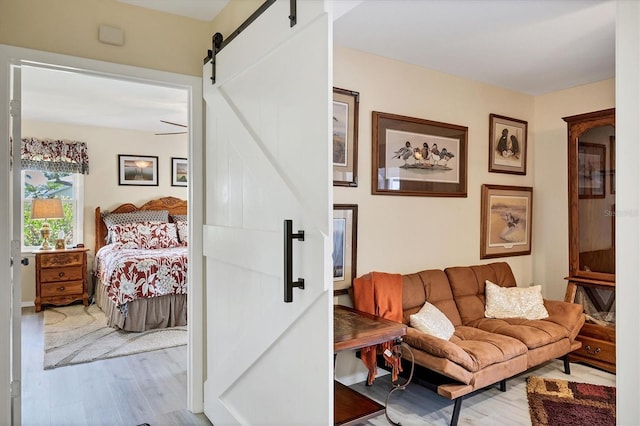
(468, 283)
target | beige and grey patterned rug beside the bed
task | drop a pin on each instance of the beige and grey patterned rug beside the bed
(76, 334)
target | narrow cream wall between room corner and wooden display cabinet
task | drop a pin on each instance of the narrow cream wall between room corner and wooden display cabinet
(551, 220)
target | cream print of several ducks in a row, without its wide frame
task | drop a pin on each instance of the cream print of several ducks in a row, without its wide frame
(414, 156)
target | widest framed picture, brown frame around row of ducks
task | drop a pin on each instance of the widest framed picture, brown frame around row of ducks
(414, 156)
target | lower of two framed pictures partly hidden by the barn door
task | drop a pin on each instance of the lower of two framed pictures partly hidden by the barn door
(345, 237)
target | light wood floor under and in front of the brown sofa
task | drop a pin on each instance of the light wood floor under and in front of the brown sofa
(419, 406)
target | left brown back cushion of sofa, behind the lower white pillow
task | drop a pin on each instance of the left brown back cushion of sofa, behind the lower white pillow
(428, 286)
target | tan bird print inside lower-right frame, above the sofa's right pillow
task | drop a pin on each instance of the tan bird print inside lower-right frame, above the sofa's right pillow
(508, 220)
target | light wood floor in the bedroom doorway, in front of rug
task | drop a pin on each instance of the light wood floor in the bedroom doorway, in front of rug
(149, 387)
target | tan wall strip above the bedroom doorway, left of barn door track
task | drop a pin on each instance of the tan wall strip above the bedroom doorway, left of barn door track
(152, 39)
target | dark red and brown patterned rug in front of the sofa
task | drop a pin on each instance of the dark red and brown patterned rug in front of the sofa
(556, 402)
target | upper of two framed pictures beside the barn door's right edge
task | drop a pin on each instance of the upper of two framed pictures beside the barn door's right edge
(345, 137)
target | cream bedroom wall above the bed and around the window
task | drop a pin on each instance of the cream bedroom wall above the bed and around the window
(101, 184)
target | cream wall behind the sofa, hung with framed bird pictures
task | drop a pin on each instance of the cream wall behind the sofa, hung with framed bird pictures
(407, 234)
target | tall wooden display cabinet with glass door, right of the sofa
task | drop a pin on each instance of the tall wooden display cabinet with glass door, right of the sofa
(592, 279)
